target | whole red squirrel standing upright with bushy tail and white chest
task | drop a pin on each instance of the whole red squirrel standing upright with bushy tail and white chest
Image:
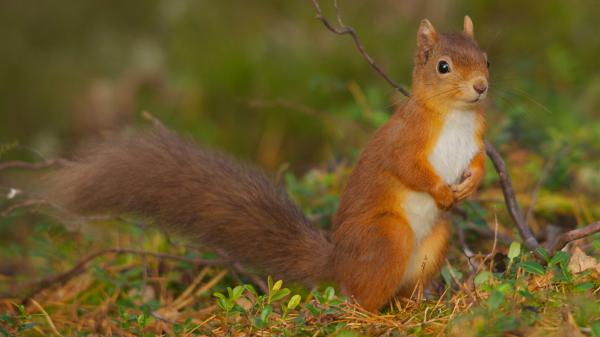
(390, 232)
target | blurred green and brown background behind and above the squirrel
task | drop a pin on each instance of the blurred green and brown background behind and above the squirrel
(265, 80)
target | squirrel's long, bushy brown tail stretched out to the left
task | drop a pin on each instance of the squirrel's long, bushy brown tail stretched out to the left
(198, 192)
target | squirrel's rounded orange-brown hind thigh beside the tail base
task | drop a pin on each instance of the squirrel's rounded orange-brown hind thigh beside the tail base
(370, 259)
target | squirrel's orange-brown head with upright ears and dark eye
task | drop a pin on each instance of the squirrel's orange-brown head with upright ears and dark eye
(451, 71)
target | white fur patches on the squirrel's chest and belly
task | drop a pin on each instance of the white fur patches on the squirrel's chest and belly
(455, 147)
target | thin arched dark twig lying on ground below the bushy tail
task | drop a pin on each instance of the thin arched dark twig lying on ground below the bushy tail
(82, 265)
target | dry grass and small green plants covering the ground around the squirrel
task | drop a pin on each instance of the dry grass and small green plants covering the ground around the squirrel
(151, 286)
